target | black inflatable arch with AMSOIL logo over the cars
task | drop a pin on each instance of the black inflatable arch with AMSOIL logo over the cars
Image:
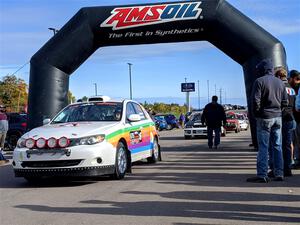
(215, 21)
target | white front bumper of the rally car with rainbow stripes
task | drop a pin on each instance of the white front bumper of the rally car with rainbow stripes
(93, 160)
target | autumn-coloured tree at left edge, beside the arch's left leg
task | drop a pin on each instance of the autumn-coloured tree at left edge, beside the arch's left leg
(13, 93)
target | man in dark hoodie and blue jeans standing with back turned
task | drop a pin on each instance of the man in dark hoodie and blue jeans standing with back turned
(269, 97)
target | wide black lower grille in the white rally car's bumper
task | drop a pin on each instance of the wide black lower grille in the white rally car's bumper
(54, 163)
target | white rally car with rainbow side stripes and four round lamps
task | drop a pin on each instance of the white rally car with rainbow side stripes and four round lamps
(88, 139)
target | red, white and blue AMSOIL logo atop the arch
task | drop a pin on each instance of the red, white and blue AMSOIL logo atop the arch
(128, 17)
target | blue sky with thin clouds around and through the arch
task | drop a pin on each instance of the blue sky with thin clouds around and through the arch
(157, 70)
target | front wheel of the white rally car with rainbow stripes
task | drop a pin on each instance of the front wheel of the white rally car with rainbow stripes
(121, 162)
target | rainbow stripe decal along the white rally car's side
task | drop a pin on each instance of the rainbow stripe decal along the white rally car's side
(138, 138)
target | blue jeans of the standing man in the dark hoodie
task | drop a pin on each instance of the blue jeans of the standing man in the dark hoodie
(269, 136)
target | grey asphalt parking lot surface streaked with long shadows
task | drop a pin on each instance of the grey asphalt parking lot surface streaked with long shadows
(192, 185)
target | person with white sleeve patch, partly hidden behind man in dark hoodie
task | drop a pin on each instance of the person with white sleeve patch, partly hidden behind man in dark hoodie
(288, 124)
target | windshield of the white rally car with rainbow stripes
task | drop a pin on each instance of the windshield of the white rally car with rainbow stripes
(97, 111)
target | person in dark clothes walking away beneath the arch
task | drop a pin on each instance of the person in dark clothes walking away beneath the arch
(213, 115)
